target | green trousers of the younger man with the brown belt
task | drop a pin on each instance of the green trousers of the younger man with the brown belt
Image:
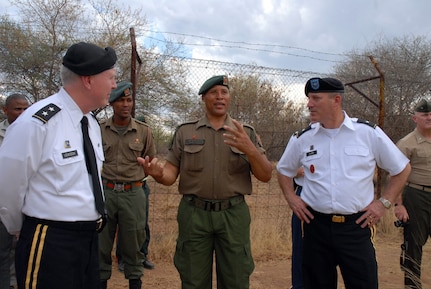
(126, 209)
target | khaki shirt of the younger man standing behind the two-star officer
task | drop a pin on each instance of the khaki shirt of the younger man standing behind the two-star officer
(121, 151)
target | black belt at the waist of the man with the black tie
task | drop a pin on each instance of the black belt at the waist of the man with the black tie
(97, 225)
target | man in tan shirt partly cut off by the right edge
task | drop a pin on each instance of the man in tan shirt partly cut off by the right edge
(412, 207)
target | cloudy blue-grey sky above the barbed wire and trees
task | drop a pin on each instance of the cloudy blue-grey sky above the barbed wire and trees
(303, 35)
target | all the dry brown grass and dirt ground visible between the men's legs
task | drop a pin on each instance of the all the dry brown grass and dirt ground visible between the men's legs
(271, 242)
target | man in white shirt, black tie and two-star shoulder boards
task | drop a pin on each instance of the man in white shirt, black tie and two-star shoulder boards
(51, 187)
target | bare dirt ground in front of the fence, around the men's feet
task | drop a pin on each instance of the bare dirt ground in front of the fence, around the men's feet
(275, 274)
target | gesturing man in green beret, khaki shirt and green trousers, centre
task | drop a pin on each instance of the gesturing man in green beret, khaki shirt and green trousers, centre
(215, 157)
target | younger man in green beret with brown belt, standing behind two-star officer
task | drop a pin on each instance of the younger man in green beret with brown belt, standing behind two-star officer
(124, 139)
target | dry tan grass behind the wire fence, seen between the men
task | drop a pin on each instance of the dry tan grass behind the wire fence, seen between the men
(270, 227)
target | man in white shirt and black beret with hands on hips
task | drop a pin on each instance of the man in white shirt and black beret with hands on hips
(339, 155)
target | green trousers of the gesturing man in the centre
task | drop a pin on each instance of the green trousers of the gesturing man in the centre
(224, 234)
